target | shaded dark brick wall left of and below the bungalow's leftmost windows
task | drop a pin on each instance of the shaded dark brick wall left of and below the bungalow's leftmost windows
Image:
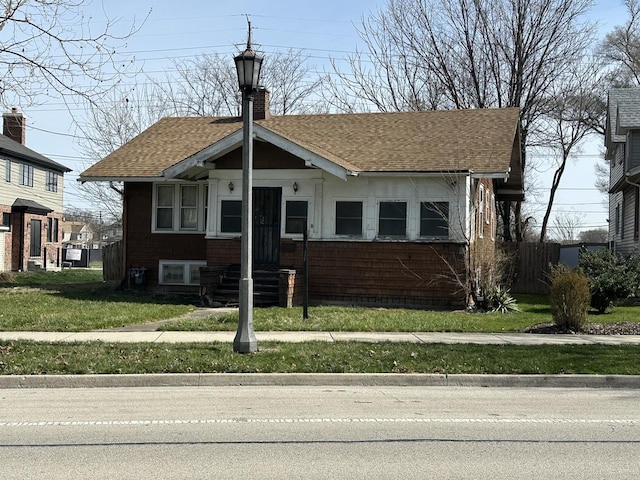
(144, 249)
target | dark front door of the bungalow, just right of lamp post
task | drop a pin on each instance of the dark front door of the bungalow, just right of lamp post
(266, 227)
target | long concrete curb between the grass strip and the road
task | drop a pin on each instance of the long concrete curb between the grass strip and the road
(318, 379)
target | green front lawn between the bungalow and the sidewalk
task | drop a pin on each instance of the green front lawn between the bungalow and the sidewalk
(77, 300)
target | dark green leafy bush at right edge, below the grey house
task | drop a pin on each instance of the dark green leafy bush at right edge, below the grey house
(611, 277)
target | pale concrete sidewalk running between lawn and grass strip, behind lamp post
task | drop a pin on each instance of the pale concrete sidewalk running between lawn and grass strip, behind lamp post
(305, 336)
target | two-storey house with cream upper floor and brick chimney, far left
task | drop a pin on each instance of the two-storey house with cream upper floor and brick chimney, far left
(31, 188)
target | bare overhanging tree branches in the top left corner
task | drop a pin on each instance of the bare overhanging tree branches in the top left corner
(49, 48)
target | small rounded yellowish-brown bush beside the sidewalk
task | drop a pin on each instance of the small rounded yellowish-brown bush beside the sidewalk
(569, 299)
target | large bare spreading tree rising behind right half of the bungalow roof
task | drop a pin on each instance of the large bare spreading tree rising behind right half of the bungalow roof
(467, 54)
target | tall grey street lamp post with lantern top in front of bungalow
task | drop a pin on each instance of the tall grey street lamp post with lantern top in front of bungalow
(248, 66)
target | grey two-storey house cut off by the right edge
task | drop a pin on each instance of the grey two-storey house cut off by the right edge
(622, 141)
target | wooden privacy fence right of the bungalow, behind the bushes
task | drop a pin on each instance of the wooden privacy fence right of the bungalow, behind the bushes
(531, 262)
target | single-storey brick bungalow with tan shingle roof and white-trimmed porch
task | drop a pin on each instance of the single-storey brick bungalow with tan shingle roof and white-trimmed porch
(394, 203)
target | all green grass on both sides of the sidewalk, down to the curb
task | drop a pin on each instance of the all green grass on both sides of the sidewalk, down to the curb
(76, 300)
